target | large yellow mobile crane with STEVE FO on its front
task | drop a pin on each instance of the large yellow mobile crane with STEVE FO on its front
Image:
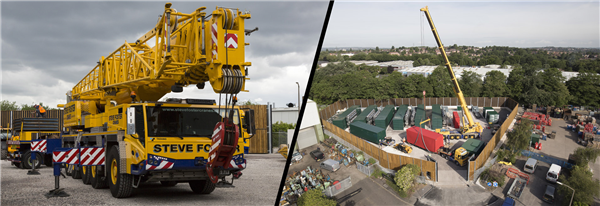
(115, 106)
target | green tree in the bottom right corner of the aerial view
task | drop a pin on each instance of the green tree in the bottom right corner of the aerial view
(581, 180)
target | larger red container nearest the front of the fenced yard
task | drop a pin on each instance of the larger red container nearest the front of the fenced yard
(433, 140)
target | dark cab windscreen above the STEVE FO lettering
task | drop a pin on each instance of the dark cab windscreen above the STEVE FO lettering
(184, 121)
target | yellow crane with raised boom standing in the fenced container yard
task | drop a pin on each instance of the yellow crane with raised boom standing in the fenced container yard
(472, 128)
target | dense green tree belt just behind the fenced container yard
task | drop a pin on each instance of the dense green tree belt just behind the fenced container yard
(526, 84)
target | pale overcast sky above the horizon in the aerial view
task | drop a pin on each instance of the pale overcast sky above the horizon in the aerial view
(473, 23)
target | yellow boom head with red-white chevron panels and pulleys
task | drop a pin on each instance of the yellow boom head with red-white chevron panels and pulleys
(226, 39)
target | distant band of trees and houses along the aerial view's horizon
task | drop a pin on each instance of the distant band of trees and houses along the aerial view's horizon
(566, 60)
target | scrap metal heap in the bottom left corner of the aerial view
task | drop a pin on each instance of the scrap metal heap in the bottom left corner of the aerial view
(302, 181)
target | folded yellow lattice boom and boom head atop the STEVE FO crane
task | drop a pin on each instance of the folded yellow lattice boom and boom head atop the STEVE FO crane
(188, 49)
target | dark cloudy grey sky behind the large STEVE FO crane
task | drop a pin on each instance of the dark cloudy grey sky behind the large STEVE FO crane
(47, 47)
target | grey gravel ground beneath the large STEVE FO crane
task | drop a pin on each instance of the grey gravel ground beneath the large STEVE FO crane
(257, 186)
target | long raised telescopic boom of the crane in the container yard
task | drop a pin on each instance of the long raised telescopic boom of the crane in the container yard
(472, 125)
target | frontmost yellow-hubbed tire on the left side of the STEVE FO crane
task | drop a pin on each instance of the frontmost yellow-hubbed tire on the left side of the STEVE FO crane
(121, 185)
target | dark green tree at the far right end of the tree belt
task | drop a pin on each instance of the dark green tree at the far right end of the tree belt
(585, 89)
